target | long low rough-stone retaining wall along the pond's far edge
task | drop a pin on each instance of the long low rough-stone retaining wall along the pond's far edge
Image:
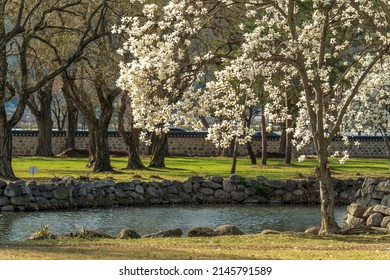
(69, 193)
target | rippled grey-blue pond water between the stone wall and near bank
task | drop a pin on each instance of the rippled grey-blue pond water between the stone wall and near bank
(144, 220)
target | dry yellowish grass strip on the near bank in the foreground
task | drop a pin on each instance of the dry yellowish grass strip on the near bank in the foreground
(283, 246)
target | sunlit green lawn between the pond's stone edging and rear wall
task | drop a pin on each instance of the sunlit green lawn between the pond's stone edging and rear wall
(180, 168)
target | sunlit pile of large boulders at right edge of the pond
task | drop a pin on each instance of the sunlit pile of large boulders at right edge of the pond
(371, 207)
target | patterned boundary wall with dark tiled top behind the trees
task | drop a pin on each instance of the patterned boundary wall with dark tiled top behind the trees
(193, 144)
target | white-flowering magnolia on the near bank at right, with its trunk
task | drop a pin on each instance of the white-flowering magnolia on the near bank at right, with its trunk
(333, 50)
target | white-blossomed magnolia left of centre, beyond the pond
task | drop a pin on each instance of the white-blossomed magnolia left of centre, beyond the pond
(170, 44)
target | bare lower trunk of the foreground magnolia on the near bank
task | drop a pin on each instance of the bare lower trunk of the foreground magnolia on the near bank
(328, 222)
